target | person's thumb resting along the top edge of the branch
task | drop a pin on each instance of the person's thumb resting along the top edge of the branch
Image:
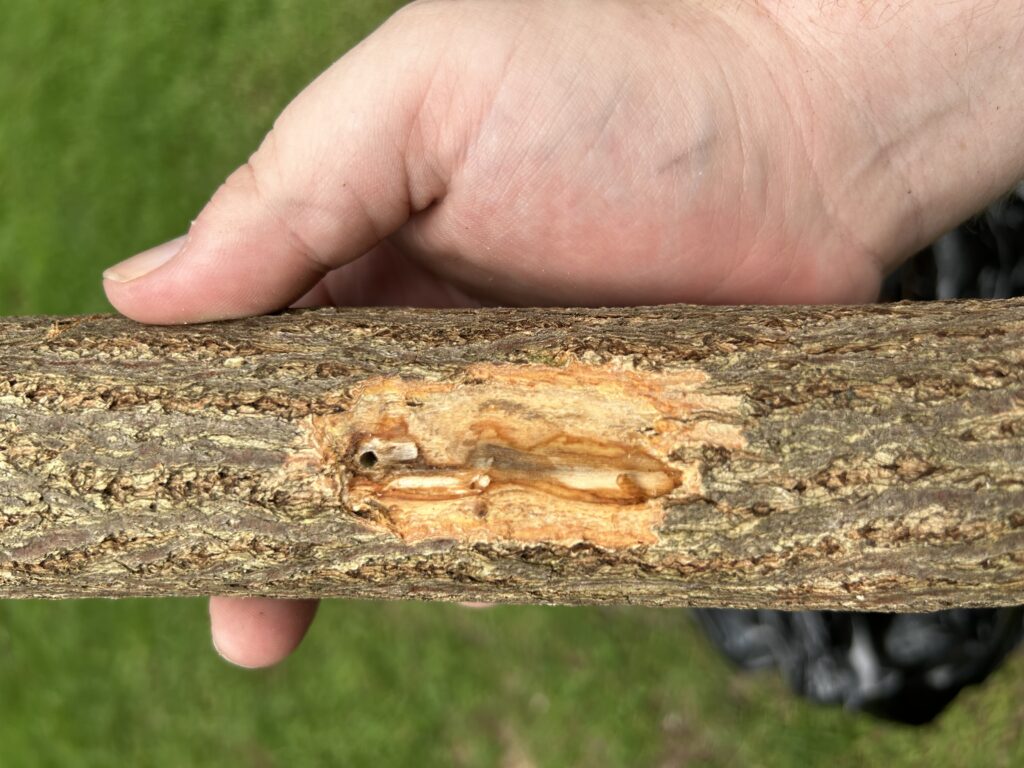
(334, 178)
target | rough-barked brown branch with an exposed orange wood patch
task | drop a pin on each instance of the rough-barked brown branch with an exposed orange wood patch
(865, 458)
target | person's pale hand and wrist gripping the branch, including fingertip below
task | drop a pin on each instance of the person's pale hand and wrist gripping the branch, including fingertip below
(603, 152)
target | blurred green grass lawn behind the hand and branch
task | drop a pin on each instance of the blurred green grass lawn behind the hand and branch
(117, 121)
